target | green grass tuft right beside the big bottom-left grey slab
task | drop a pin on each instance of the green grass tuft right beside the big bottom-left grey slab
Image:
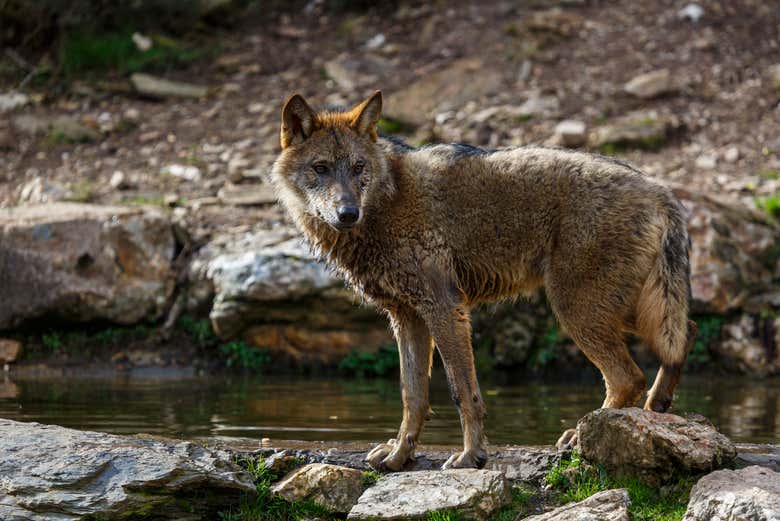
(266, 507)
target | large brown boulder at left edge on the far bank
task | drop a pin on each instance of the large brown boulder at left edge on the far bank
(81, 262)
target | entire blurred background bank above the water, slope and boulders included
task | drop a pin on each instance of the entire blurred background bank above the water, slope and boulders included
(170, 110)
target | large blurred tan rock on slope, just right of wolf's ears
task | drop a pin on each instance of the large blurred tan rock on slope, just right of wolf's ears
(446, 89)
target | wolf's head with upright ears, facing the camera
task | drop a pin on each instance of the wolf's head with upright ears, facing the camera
(331, 166)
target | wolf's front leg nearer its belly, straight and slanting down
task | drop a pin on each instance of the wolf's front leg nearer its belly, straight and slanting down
(451, 330)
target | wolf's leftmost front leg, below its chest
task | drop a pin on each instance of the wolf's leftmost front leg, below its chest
(416, 350)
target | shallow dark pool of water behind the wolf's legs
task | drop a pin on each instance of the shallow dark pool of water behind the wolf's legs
(523, 411)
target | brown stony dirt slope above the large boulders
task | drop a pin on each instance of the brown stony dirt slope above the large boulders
(582, 55)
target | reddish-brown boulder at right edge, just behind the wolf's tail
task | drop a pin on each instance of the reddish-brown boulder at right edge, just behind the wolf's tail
(733, 253)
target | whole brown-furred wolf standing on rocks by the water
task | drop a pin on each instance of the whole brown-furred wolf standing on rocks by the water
(428, 233)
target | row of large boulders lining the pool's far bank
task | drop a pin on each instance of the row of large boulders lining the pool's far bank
(78, 264)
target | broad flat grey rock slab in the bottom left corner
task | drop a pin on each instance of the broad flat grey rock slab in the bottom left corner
(50, 472)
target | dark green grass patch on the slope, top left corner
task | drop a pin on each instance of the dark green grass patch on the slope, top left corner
(84, 52)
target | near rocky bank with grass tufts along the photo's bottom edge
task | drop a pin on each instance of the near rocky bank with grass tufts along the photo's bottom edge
(50, 473)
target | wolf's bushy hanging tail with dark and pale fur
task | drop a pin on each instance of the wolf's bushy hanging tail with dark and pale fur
(662, 311)
